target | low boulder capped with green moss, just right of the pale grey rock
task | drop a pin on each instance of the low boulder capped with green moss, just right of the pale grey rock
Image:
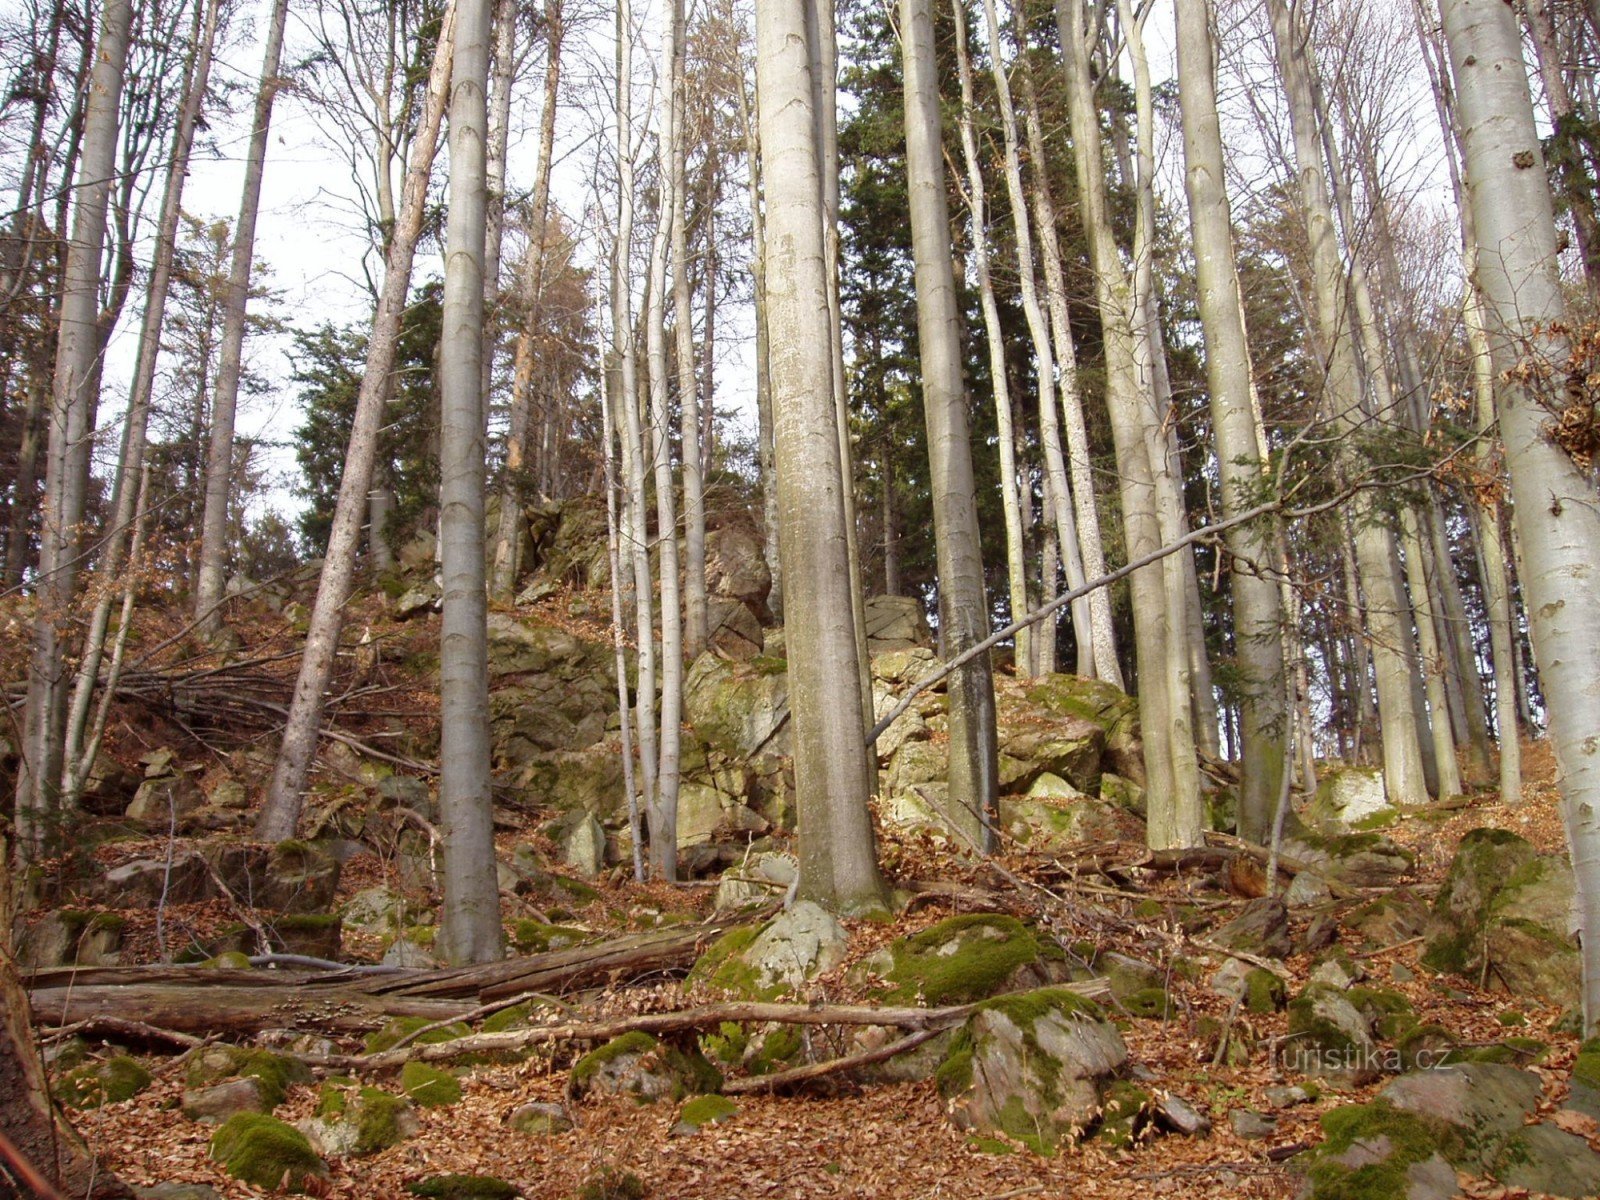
(959, 961)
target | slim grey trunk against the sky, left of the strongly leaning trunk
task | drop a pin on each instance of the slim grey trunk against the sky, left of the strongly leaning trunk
(231, 361)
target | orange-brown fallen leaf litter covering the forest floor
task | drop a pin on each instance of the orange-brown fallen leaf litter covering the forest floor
(895, 1142)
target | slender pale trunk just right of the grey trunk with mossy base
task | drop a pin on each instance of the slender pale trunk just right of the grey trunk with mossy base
(1025, 652)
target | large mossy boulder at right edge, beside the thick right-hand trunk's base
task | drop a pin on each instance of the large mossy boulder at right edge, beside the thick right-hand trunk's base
(1505, 918)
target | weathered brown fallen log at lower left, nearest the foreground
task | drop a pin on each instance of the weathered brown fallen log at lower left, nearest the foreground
(234, 1010)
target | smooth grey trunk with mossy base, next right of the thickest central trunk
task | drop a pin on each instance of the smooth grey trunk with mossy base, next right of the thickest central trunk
(964, 606)
